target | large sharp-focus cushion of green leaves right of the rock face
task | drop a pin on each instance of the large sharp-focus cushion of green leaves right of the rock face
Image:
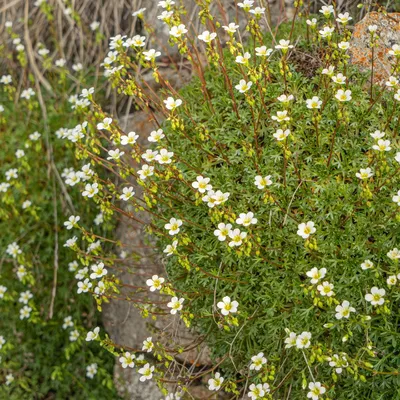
(314, 179)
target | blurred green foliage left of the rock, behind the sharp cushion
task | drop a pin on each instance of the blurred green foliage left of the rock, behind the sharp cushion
(38, 351)
